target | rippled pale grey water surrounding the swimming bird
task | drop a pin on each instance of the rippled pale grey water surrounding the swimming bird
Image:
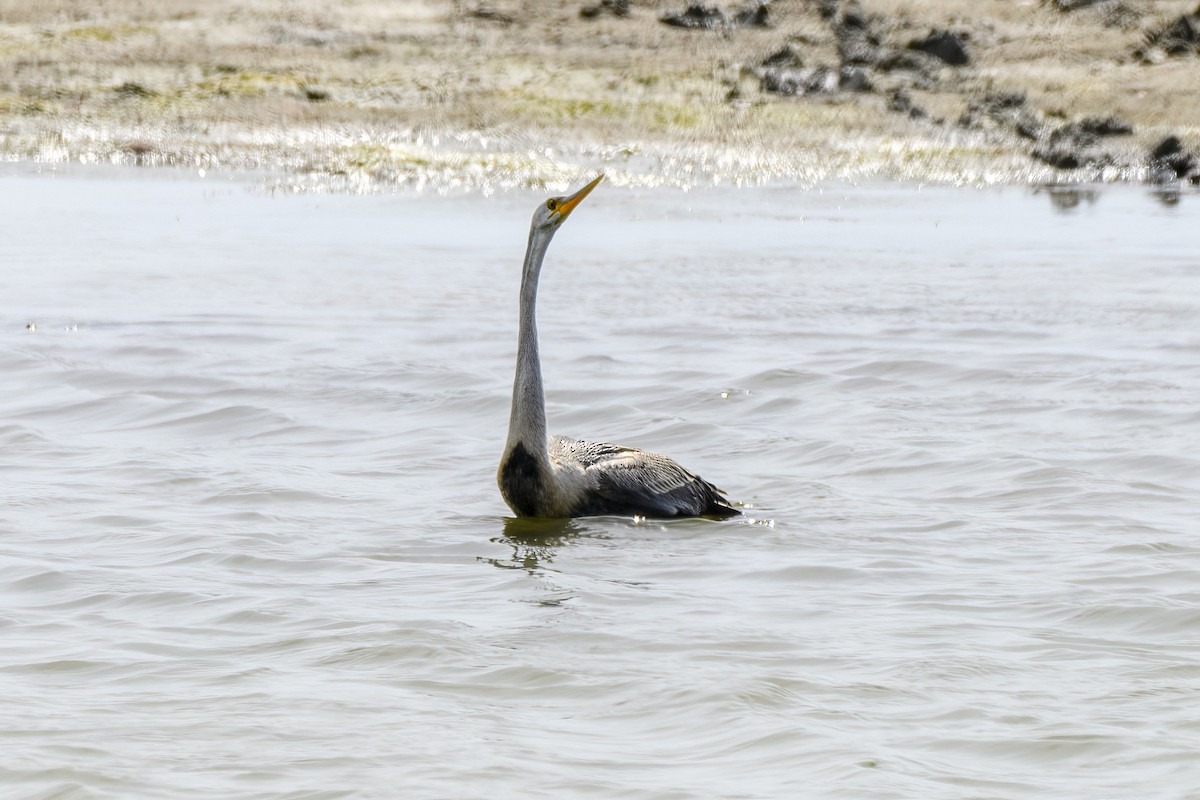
(251, 544)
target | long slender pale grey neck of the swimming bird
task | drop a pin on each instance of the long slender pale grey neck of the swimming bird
(527, 423)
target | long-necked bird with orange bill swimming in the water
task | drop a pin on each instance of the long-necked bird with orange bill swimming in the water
(556, 477)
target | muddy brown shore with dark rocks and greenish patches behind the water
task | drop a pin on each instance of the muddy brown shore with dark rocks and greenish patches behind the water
(375, 95)
